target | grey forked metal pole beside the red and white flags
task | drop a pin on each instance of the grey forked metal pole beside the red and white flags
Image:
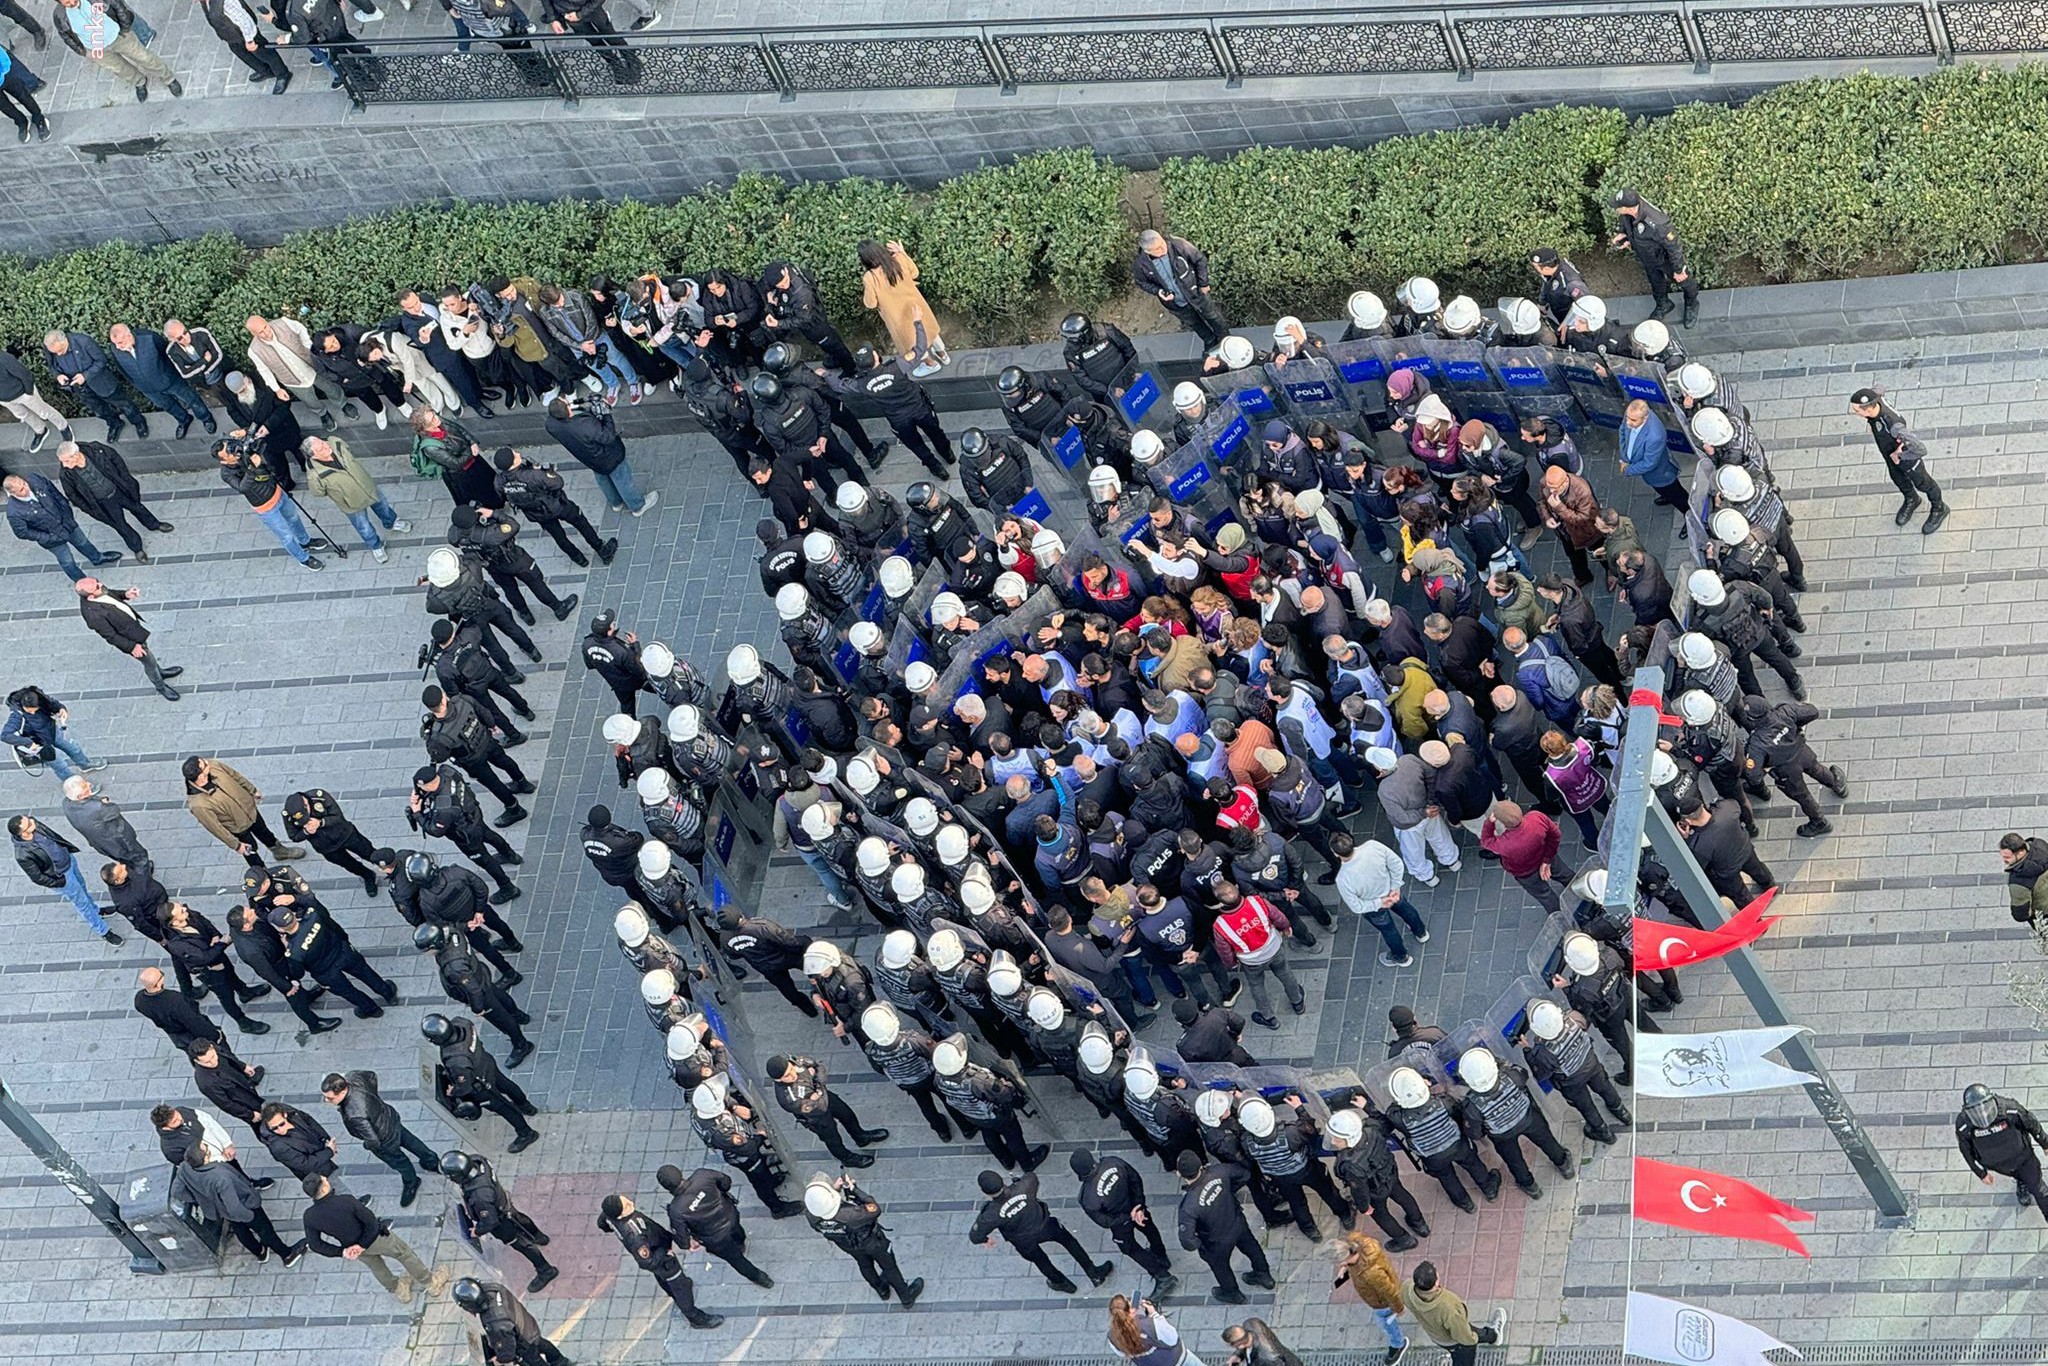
(1637, 812)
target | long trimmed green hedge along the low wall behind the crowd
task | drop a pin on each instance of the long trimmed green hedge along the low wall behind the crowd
(1809, 181)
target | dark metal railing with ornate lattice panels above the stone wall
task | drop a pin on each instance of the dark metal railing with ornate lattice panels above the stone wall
(1449, 40)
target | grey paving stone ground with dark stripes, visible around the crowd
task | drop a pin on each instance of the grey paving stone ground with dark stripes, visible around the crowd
(335, 706)
